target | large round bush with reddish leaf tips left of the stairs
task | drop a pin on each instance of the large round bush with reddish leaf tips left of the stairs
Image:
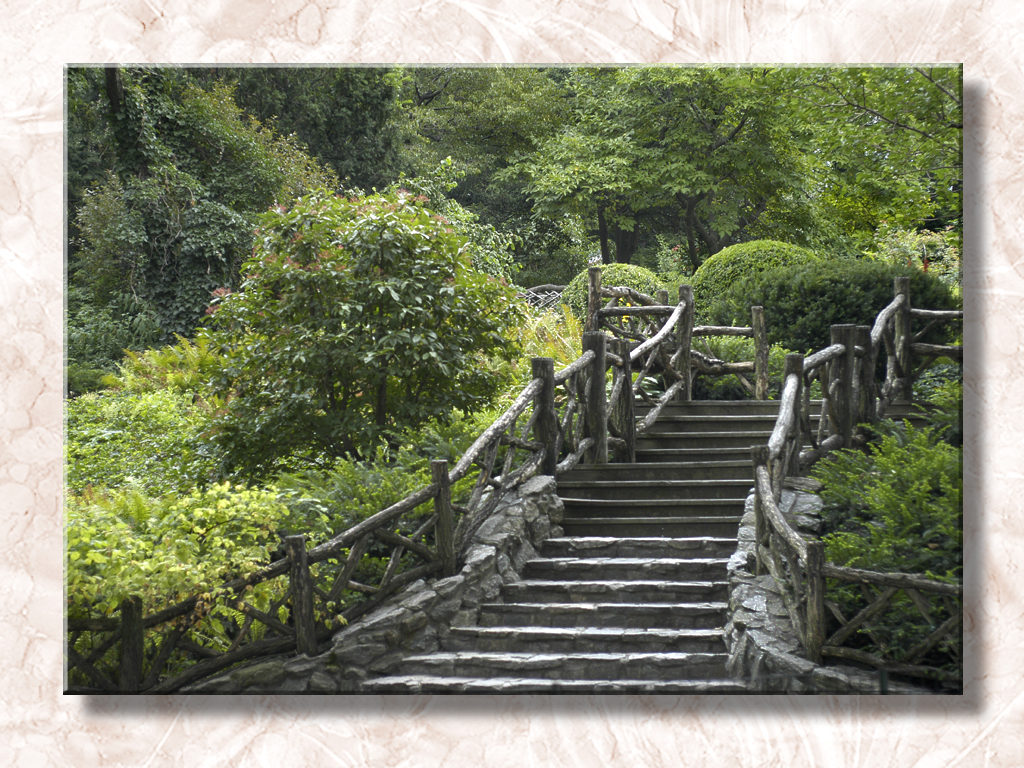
(359, 318)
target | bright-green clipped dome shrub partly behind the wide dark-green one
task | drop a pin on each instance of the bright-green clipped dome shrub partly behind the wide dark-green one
(732, 265)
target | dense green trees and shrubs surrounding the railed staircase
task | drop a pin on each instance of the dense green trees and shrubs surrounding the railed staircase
(289, 289)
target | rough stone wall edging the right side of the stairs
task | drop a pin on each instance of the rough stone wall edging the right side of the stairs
(763, 647)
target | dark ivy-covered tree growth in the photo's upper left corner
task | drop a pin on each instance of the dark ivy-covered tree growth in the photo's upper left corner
(175, 219)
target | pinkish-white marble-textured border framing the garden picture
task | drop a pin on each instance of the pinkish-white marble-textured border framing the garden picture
(39, 728)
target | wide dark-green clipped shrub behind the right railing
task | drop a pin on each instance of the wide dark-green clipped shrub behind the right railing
(802, 303)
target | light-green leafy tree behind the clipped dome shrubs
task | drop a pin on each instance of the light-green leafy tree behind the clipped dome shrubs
(707, 148)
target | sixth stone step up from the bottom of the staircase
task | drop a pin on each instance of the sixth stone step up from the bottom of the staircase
(626, 569)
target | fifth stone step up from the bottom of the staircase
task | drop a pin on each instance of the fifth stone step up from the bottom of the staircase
(623, 591)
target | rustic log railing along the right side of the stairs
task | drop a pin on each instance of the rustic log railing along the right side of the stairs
(849, 397)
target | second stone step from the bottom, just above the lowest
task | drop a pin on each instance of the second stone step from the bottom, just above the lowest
(577, 666)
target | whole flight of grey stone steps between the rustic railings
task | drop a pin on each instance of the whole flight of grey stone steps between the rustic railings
(633, 599)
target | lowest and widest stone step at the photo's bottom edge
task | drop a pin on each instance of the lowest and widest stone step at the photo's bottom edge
(498, 686)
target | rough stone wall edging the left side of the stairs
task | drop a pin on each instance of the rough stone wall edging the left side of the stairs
(418, 619)
